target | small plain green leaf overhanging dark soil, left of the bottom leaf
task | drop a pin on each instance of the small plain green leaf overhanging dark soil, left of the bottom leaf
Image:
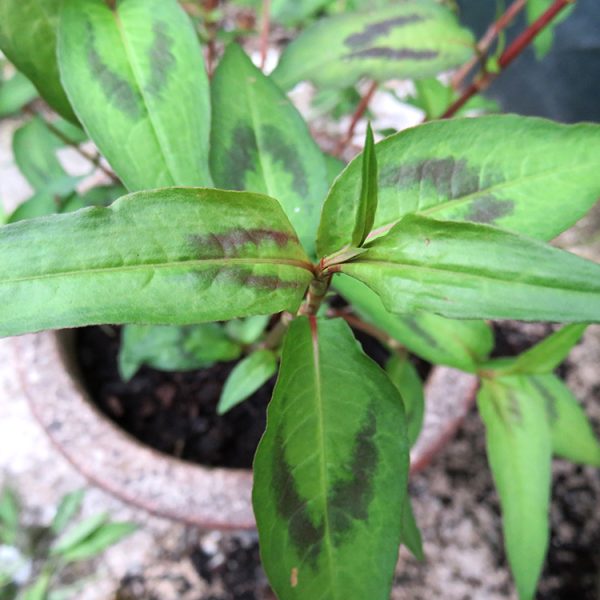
(247, 376)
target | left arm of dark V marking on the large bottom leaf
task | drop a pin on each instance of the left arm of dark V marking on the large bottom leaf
(304, 534)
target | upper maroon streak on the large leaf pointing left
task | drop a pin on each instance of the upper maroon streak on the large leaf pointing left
(229, 244)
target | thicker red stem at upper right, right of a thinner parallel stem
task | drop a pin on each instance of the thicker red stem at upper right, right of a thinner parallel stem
(510, 54)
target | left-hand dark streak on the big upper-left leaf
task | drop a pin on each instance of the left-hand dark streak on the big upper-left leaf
(117, 90)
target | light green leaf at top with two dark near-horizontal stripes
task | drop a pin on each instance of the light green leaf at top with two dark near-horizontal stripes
(407, 40)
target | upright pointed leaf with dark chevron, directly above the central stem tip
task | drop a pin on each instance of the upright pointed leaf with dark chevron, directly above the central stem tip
(260, 143)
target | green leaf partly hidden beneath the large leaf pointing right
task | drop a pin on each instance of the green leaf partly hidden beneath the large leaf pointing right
(460, 344)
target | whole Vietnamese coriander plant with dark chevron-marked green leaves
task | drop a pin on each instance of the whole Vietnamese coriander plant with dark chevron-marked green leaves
(232, 216)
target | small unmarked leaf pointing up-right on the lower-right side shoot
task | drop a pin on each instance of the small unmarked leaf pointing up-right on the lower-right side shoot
(548, 354)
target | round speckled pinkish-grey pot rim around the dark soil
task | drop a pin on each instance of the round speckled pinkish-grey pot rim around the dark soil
(214, 498)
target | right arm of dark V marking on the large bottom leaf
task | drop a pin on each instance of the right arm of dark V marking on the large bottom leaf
(349, 499)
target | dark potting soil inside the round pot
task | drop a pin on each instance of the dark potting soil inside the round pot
(174, 413)
